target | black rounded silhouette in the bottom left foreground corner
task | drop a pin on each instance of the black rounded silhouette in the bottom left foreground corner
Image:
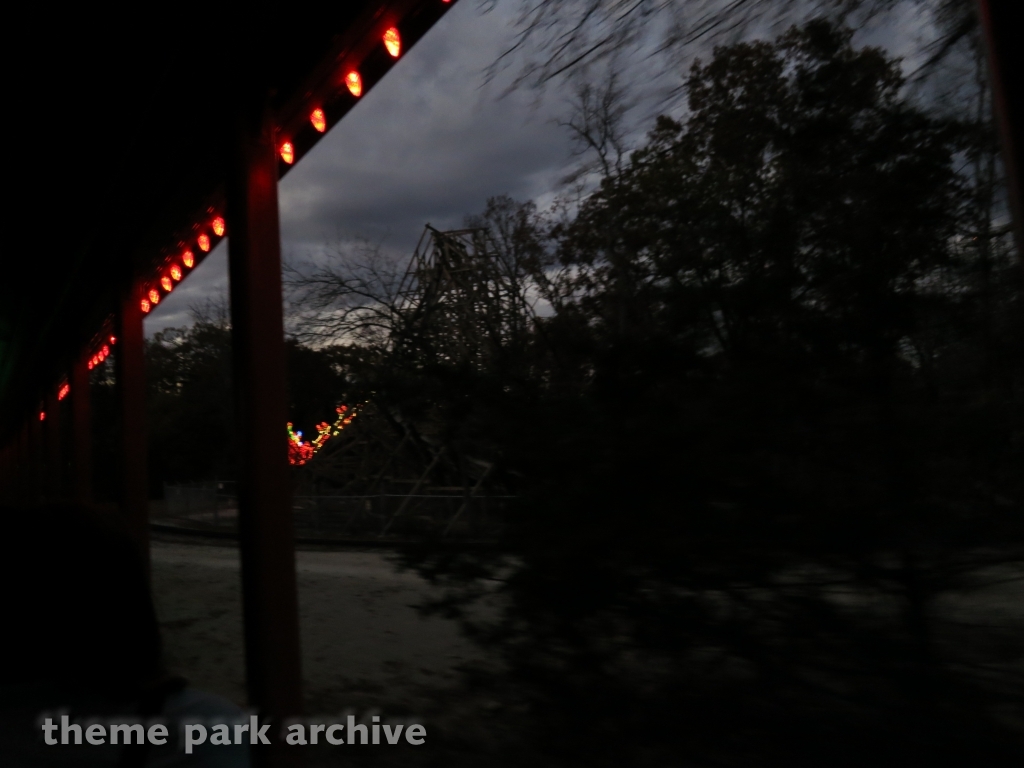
(82, 641)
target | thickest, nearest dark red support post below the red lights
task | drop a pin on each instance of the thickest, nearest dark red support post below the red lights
(266, 526)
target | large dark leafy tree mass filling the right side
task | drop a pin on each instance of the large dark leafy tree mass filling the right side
(731, 423)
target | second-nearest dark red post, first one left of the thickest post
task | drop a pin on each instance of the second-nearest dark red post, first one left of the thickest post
(130, 364)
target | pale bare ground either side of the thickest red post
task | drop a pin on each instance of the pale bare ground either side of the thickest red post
(364, 642)
